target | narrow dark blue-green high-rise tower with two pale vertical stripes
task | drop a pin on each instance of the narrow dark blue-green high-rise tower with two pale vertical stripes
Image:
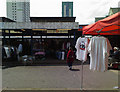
(67, 9)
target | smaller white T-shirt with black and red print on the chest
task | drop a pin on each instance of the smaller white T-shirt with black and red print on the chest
(81, 46)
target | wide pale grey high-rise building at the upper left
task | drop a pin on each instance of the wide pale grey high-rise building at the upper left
(18, 10)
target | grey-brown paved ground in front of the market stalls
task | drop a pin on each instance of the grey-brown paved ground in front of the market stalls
(57, 76)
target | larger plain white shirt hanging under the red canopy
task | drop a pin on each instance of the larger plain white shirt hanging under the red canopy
(99, 48)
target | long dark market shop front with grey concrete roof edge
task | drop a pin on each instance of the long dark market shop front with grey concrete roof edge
(39, 39)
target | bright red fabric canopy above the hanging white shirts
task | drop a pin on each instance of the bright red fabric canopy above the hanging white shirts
(108, 26)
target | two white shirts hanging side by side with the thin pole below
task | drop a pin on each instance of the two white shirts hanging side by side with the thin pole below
(98, 48)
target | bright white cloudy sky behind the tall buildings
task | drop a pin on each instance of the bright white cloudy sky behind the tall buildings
(85, 11)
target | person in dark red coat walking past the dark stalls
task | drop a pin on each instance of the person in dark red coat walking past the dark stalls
(70, 58)
